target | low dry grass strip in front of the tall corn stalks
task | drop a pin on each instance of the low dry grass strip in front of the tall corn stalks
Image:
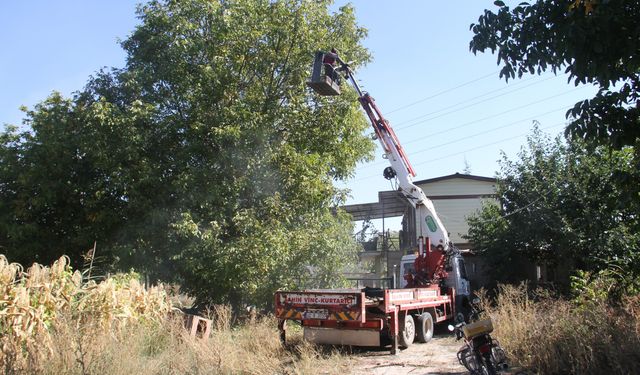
(140, 349)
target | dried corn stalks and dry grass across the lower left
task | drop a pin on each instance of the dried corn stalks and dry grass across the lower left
(53, 323)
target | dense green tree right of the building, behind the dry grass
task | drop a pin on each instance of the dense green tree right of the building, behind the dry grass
(560, 205)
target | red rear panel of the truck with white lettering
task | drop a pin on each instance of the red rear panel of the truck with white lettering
(320, 305)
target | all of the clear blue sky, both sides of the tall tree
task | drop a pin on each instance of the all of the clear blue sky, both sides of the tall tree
(446, 104)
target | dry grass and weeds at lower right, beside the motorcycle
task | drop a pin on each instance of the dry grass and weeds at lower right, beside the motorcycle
(555, 336)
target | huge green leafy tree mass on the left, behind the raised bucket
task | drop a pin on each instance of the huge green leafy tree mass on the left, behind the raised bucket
(205, 159)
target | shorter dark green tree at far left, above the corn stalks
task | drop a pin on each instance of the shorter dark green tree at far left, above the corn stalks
(61, 184)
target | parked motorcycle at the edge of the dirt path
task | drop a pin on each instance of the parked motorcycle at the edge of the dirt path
(481, 354)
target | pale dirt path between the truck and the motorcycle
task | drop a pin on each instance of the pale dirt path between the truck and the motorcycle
(435, 357)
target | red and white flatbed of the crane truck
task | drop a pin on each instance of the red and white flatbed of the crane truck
(359, 317)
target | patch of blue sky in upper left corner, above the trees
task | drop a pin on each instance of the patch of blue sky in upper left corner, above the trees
(56, 45)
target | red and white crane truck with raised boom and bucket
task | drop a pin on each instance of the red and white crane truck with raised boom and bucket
(434, 287)
